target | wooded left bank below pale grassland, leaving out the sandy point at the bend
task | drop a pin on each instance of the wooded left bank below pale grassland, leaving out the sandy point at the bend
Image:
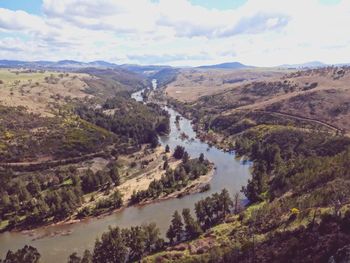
(35, 192)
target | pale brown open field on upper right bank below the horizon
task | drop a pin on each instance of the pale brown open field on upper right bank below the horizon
(320, 94)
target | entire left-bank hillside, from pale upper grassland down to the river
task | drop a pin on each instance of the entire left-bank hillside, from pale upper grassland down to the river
(61, 134)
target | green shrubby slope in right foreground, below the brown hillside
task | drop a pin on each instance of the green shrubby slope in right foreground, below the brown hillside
(299, 189)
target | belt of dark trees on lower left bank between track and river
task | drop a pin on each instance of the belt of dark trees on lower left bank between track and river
(30, 200)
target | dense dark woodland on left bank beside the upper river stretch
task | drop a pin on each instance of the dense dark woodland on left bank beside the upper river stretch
(133, 122)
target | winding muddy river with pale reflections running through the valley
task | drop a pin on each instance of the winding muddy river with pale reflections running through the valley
(56, 243)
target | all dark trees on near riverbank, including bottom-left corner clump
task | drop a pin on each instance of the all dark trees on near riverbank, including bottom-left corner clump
(132, 244)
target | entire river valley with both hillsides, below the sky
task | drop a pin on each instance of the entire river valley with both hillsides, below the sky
(272, 137)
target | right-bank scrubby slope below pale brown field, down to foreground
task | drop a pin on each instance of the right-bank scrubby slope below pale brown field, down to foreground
(304, 195)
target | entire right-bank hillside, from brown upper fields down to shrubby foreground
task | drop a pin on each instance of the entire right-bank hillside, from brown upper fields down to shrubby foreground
(293, 129)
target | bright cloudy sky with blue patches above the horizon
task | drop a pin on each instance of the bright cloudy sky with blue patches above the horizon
(176, 32)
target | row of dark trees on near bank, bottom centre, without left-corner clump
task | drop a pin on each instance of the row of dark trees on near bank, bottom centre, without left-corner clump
(130, 245)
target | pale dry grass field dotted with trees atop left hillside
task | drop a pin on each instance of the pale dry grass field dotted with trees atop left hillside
(38, 91)
